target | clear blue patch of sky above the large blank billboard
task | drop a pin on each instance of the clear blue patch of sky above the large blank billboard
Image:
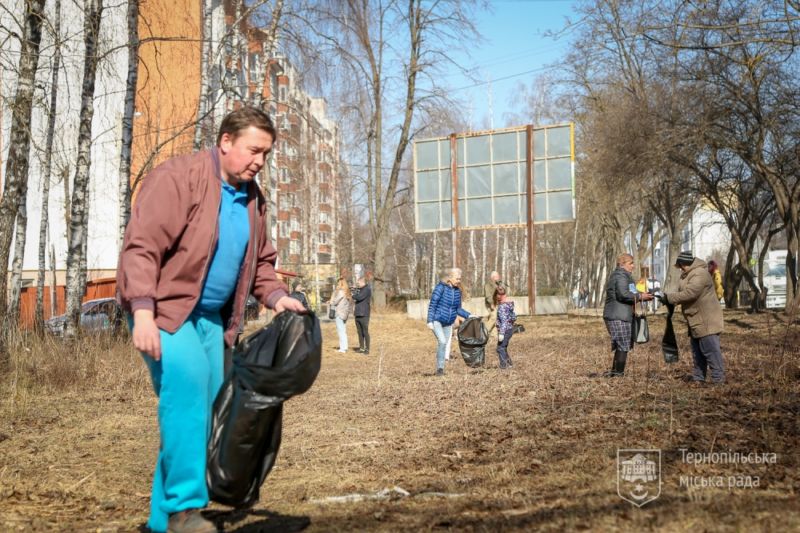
(513, 45)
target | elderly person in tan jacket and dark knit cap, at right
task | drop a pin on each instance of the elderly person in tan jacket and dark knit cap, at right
(702, 311)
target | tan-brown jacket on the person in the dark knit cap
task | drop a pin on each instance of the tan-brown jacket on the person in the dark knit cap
(698, 301)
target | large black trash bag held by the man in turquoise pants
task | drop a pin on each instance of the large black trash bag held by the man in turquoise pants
(269, 367)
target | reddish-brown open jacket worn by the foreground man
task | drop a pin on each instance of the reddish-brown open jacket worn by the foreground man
(170, 239)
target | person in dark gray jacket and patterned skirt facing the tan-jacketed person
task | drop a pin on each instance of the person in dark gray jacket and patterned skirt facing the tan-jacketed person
(621, 295)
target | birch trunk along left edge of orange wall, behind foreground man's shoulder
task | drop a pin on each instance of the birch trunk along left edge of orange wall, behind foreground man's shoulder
(127, 119)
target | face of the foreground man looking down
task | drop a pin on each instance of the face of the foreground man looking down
(243, 157)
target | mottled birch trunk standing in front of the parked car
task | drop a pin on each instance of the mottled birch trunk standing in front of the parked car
(79, 212)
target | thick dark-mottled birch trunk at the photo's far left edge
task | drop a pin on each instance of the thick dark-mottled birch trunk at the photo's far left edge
(15, 186)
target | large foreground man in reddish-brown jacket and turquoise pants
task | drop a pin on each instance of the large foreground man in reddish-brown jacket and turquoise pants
(195, 248)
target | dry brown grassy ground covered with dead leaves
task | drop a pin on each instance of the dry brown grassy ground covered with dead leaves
(380, 444)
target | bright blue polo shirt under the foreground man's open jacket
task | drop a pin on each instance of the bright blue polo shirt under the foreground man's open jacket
(226, 262)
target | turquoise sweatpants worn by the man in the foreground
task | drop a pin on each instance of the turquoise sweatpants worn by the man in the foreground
(186, 381)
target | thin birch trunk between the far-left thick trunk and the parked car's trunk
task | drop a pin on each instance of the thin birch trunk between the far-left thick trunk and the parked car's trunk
(38, 315)
